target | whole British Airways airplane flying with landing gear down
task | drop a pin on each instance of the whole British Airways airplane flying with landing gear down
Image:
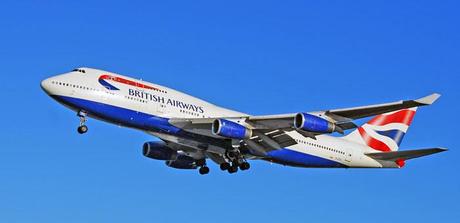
(193, 131)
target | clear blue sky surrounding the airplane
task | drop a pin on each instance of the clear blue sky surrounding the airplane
(260, 57)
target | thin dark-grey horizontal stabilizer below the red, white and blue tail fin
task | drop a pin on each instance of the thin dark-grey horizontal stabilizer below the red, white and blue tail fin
(404, 155)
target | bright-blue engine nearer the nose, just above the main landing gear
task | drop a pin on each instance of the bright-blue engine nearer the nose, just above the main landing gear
(229, 129)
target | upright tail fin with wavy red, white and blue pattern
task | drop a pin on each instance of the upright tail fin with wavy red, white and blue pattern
(384, 132)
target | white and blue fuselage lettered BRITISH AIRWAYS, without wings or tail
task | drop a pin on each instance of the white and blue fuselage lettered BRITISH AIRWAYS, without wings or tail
(86, 91)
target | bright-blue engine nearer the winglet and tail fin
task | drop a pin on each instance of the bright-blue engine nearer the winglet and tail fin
(313, 123)
